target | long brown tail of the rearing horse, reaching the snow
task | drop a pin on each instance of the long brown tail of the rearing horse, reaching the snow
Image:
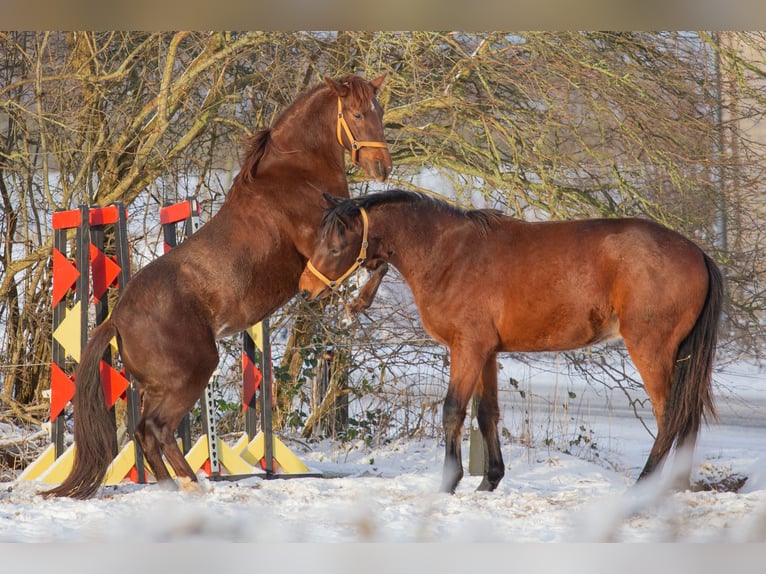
(94, 435)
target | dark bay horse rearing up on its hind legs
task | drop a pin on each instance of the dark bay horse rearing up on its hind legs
(233, 272)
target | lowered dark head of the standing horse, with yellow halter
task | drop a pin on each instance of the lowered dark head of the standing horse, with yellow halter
(340, 250)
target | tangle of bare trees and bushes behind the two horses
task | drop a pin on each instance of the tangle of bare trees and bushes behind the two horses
(540, 125)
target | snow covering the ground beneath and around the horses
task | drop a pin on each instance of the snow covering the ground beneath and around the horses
(388, 493)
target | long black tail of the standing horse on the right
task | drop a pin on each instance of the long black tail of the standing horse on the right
(691, 396)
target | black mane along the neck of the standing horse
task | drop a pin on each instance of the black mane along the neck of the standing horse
(481, 218)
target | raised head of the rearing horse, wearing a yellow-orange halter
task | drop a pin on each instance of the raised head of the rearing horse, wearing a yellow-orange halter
(360, 124)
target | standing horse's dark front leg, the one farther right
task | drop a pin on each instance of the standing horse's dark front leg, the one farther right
(488, 416)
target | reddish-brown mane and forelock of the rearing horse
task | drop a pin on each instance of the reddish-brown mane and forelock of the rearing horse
(360, 94)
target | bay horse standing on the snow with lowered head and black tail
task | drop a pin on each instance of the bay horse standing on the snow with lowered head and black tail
(484, 283)
